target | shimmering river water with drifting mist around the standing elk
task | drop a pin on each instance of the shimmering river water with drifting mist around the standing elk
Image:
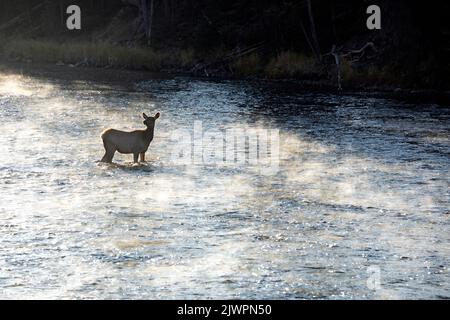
(358, 207)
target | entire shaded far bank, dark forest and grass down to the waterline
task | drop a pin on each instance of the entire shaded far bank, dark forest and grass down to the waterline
(230, 38)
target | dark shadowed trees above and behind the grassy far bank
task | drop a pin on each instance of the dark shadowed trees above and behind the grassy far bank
(413, 42)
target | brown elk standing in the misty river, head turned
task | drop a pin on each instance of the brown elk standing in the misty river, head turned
(135, 142)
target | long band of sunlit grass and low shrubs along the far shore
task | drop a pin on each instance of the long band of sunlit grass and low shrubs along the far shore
(286, 65)
